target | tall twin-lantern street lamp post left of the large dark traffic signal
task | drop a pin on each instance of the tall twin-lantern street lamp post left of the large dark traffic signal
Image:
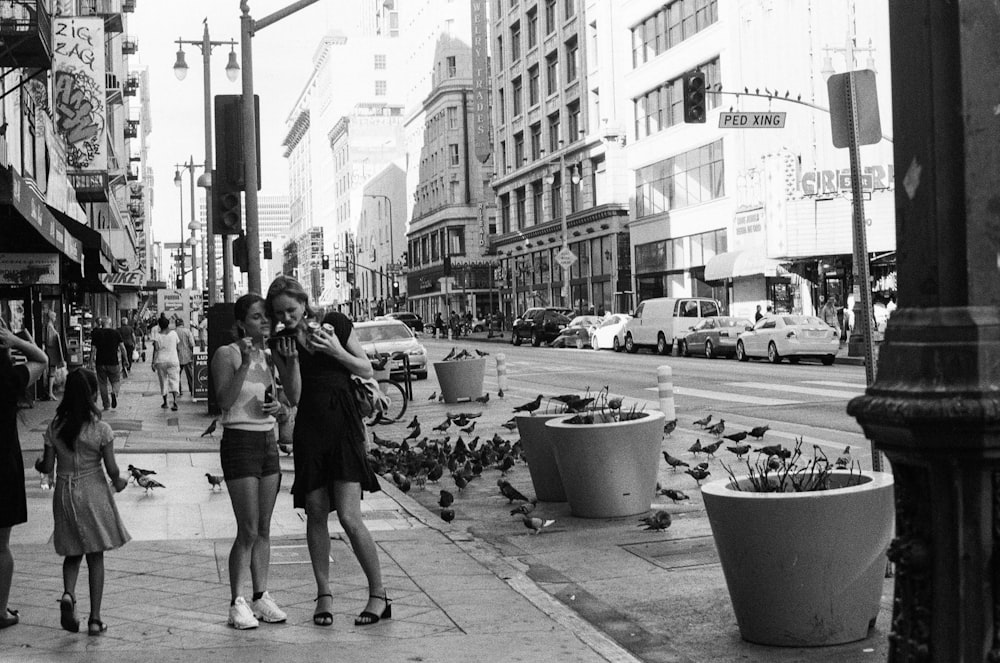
(232, 69)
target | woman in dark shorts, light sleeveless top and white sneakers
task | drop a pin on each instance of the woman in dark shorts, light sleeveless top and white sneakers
(246, 392)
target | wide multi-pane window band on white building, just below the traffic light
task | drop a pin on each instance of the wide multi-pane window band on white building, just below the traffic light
(686, 179)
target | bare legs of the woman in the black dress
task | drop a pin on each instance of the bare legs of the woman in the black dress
(347, 498)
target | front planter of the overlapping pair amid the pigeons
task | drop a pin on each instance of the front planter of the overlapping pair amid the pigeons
(608, 470)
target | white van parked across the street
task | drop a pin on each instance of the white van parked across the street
(662, 321)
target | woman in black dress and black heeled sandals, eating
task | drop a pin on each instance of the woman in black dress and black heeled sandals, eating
(331, 463)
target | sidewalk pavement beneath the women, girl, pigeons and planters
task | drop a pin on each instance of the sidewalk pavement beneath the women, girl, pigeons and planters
(481, 586)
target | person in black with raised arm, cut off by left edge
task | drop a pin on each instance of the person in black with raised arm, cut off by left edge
(13, 500)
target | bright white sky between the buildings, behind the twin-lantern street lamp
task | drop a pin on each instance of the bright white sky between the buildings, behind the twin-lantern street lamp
(282, 63)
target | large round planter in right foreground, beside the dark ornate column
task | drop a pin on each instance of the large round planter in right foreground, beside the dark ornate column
(804, 569)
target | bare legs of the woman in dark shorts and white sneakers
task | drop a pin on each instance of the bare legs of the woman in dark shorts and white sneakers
(253, 503)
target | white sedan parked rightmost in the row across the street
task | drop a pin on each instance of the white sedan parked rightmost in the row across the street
(792, 336)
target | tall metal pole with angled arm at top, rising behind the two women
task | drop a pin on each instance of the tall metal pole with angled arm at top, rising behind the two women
(248, 28)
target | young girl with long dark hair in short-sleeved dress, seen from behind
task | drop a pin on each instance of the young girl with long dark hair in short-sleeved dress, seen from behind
(86, 519)
